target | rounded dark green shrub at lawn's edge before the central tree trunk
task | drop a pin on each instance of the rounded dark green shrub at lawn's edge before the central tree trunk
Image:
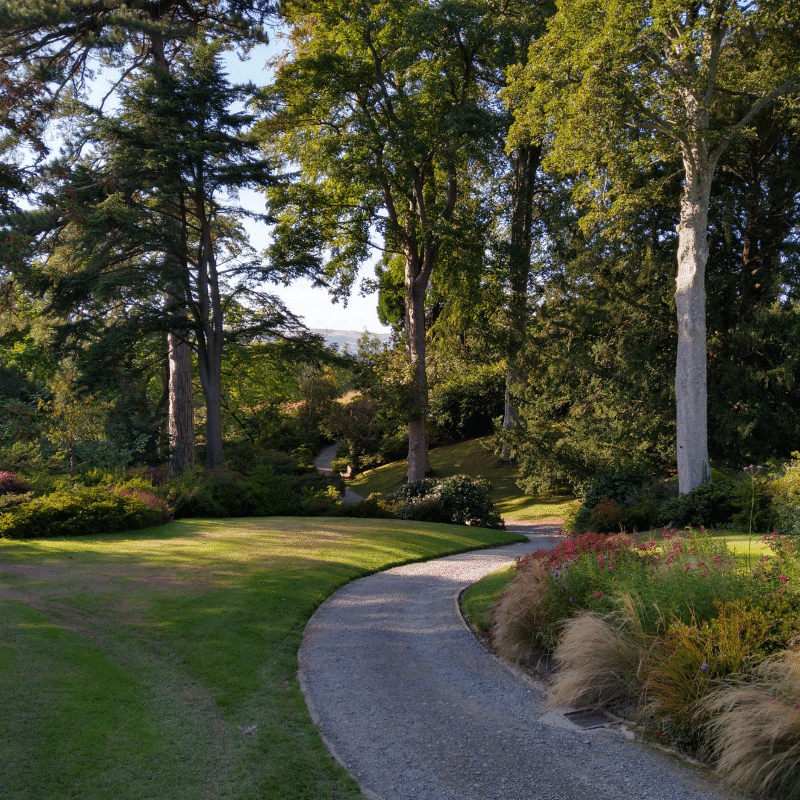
(459, 500)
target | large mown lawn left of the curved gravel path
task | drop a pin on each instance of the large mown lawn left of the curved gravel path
(162, 664)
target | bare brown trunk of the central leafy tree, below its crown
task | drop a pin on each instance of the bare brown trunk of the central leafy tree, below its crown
(418, 465)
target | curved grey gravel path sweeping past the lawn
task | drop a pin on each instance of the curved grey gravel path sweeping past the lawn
(416, 709)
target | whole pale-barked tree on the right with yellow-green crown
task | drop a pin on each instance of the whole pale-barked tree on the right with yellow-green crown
(651, 79)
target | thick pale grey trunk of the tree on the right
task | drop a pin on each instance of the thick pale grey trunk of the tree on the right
(690, 302)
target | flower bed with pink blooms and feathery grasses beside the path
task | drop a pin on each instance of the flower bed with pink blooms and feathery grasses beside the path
(674, 631)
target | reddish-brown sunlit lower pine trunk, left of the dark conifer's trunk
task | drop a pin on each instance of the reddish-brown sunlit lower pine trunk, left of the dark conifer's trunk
(180, 419)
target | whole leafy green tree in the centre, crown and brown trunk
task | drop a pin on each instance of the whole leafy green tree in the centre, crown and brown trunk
(378, 106)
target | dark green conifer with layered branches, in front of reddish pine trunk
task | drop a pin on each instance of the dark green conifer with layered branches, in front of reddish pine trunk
(150, 216)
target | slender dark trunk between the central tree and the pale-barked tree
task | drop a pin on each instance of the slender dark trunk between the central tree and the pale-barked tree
(525, 163)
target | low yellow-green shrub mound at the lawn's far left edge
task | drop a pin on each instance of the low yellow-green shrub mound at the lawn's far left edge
(78, 512)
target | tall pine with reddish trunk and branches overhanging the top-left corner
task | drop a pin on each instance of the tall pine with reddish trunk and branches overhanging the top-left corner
(50, 51)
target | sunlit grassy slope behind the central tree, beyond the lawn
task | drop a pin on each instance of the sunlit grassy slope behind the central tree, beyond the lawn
(472, 458)
